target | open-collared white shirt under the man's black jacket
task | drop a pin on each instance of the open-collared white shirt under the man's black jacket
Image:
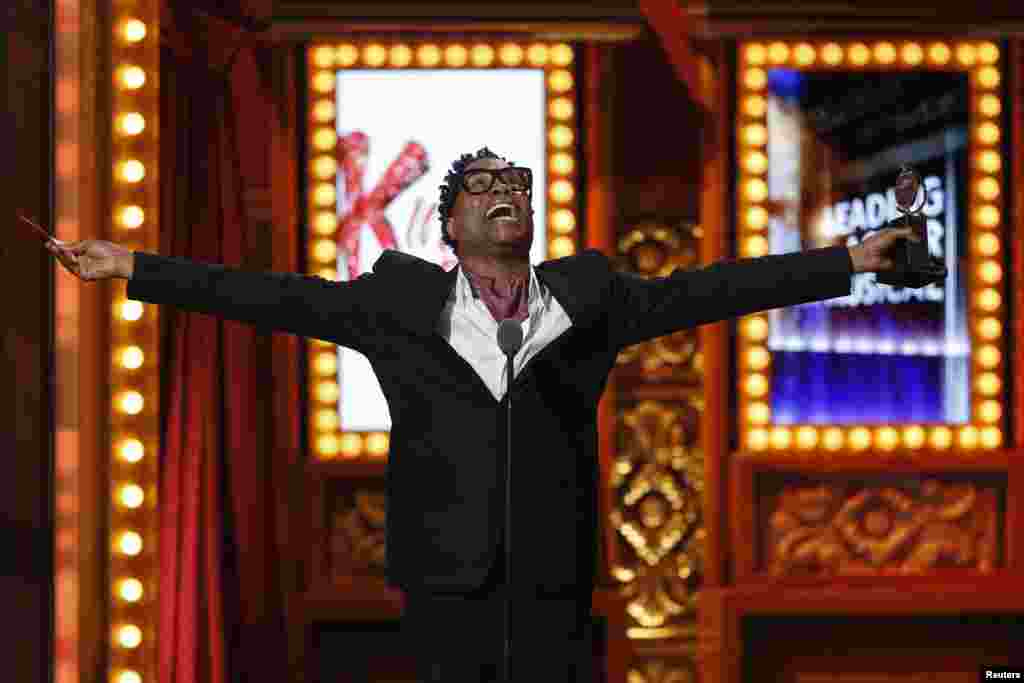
(468, 325)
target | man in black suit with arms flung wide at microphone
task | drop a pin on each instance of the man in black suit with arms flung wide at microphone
(430, 336)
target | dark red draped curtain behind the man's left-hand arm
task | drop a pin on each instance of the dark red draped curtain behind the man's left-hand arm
(223, 559)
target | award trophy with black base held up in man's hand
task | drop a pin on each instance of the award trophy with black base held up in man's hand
(914, 268)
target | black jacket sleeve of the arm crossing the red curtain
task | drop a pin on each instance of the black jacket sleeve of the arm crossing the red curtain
(305, 306)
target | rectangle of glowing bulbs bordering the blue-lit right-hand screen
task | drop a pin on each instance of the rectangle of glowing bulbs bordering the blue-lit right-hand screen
(987, 329)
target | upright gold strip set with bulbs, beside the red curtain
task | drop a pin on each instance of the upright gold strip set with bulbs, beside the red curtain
(134, 225)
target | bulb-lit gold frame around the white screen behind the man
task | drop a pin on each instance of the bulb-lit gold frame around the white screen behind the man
(324, 60)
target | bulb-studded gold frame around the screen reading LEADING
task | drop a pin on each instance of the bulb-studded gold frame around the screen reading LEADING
(984, 63)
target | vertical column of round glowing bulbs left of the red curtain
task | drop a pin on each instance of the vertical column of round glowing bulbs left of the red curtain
(132, 362)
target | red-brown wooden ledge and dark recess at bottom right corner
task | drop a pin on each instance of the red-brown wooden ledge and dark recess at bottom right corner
(945, 616)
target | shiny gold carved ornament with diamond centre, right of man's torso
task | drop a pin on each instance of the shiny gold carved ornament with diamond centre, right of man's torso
(658, 477)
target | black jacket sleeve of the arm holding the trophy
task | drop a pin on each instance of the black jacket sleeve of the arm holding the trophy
(646, 309)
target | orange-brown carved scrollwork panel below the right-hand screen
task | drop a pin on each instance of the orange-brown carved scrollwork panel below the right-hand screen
(907, 527)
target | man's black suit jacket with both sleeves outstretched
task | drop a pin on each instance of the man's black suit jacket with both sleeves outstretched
(446, 466)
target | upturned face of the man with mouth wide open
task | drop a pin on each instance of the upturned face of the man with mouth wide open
(498, 223)
